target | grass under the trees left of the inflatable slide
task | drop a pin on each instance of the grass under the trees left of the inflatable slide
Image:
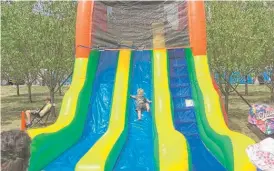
(12, 105)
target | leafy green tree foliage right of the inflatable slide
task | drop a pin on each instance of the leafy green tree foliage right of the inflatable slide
(238, 35)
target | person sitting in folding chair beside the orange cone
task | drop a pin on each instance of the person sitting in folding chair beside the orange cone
(41, 112)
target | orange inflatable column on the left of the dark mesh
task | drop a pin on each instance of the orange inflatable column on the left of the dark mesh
(83, 28)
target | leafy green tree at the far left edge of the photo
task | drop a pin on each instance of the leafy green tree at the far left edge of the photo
(18, 45)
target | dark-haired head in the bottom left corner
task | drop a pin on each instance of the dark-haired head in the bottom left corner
(15, 150)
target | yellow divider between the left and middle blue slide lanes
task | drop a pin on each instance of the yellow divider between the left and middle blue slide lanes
(96, 157)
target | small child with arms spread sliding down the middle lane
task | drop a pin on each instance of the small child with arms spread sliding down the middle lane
(142, 103)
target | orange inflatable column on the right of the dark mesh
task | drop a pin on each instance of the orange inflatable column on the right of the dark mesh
(197, 27)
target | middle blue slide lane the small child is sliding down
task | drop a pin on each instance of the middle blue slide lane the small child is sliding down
(137, 153)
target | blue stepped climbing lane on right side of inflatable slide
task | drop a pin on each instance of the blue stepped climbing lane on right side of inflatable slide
(184, 116)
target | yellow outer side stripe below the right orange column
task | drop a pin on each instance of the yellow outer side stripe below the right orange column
(215, 117)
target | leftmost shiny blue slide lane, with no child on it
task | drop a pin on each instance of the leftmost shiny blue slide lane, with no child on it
(98, 114)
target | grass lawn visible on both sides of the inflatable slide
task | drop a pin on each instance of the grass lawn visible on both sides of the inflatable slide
(12, 105)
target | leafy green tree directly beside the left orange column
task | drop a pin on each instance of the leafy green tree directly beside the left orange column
(57, 42)
